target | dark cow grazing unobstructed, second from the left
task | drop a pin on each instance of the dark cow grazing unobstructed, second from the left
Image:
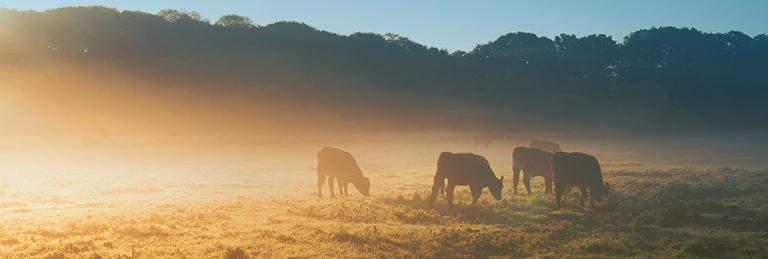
(464, 169)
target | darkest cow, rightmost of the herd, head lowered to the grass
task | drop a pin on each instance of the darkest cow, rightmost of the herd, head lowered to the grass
(578, 170)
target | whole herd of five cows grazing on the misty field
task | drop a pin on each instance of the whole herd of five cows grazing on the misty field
(540, 158)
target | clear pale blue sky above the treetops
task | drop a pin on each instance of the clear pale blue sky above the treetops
(462, 25)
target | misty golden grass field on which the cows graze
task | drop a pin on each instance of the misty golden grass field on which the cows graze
(703, 195)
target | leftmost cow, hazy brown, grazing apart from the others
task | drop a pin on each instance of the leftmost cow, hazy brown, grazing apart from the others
(339, 164)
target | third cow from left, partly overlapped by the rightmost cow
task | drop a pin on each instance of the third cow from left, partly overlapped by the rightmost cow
(533, 162)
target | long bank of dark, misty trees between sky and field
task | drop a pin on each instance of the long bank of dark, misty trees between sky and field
(97, 68)
